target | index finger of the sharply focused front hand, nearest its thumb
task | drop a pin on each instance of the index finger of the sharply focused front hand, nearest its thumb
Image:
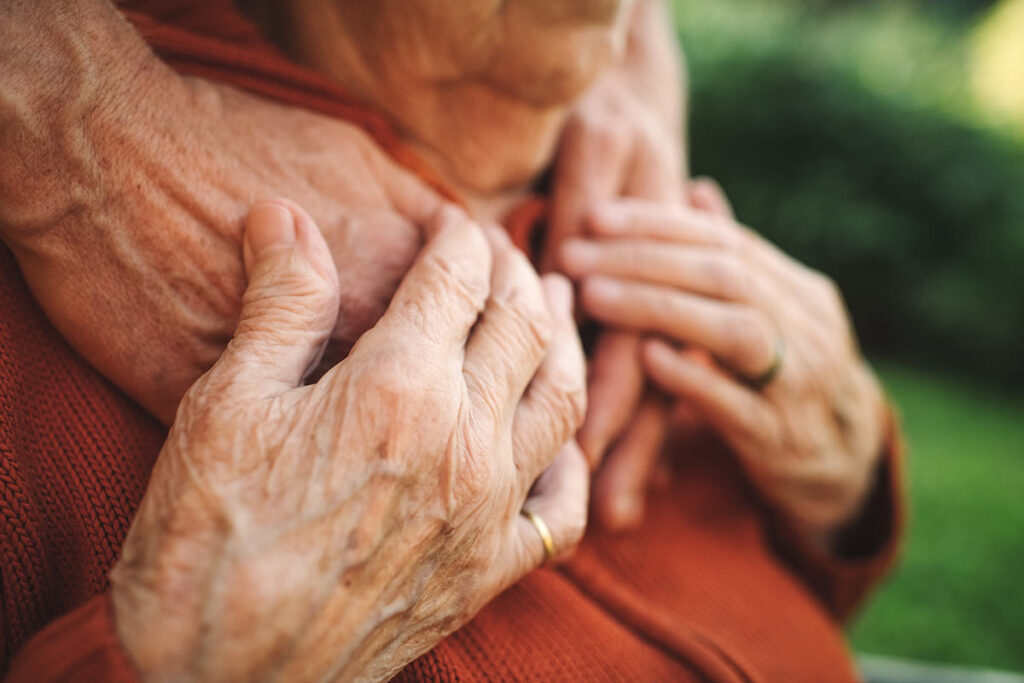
(442, 296)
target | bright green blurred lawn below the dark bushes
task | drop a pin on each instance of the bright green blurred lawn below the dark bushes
(958, 595)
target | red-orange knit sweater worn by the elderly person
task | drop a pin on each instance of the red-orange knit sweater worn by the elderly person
(709, 589)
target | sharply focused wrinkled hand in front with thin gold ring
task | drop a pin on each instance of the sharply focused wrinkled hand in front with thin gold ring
(339, 530)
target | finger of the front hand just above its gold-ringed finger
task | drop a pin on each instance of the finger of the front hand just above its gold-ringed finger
(554, 406)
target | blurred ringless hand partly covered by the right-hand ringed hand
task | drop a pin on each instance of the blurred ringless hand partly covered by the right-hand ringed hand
(624, 140)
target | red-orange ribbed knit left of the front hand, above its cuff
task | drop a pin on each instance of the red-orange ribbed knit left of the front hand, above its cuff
(75, 457)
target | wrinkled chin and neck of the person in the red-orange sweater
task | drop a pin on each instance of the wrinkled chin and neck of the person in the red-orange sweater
(481, 89)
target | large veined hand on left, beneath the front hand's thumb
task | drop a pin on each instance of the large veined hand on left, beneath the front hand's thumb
(135, 248)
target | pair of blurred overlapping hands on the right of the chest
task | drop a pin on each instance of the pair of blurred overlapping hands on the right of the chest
(696, 309)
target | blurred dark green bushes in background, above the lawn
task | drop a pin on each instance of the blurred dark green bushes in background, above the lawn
(848, 137)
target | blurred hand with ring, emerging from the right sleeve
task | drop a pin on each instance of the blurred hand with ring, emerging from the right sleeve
(810, 439)
